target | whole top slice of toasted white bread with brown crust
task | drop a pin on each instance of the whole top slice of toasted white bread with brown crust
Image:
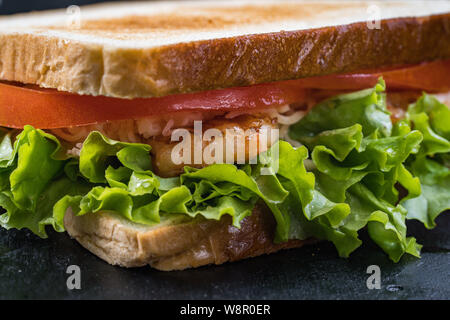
(148, 49)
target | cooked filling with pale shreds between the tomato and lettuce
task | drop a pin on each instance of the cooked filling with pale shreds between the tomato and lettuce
(243, 136)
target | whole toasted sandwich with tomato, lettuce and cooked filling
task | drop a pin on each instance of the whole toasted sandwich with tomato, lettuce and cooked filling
(179, 134)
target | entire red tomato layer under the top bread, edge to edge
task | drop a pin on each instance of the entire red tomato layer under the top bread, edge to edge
(50, 109)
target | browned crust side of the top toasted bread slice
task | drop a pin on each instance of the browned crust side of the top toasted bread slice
(94, 69)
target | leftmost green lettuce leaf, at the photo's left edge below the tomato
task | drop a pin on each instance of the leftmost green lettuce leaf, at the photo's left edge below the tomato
(32, 180)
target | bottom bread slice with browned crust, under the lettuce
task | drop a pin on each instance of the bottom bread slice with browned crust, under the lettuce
(176, 246)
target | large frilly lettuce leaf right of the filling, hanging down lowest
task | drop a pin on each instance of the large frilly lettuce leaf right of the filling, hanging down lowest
(358, 157)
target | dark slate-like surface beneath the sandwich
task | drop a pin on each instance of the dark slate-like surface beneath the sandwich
(32, 268)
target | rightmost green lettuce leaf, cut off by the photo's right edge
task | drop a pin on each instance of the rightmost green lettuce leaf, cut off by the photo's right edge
(430, 164)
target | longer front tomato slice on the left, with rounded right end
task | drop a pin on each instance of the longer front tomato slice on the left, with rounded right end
(51, 109)
